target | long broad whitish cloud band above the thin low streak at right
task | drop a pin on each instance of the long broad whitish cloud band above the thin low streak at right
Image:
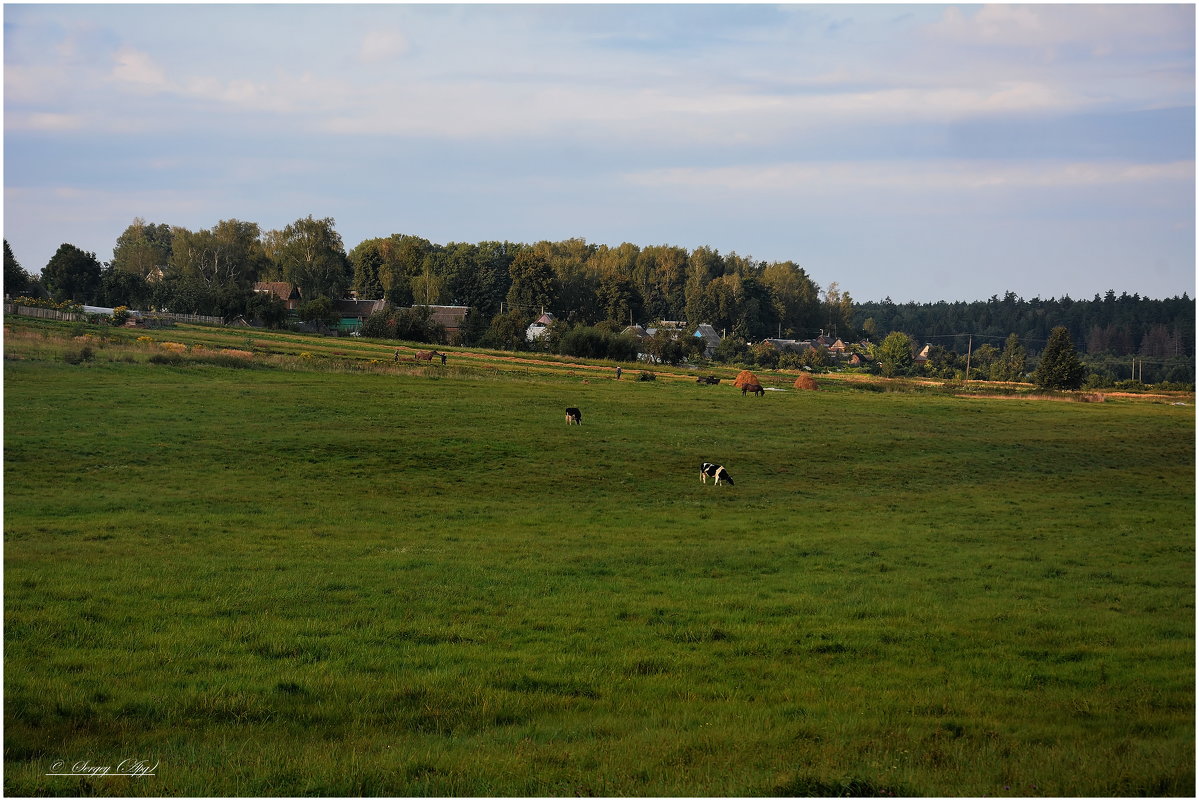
(678, 113)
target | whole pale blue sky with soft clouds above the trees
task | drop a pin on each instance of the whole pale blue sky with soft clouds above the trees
(920, 153)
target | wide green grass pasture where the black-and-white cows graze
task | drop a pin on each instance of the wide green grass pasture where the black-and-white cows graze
(310, 580)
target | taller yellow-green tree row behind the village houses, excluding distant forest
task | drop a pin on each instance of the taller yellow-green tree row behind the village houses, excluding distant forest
(212, 272)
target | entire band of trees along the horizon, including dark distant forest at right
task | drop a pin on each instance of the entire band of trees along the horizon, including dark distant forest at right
(508, 285)
